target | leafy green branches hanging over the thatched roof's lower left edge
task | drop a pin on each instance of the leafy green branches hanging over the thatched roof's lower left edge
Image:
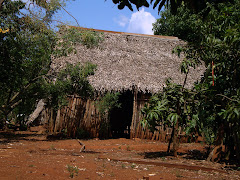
(71, 80)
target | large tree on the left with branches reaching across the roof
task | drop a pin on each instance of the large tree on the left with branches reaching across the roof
(27, 44)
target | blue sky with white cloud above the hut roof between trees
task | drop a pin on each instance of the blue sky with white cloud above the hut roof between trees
(101, 14)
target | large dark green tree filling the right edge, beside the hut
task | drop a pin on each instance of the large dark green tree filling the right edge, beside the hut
(213, 39)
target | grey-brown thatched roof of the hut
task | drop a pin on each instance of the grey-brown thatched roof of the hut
(126, 60)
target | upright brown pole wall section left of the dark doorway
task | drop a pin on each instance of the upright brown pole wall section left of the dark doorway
(79, 115)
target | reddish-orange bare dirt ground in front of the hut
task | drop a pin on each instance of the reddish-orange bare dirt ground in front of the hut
(30, 155)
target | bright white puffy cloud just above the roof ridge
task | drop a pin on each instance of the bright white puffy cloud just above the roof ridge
(141, 22)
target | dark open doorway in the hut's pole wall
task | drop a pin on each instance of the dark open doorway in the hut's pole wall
(121, 118)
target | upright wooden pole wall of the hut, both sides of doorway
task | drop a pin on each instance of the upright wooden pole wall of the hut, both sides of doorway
(82, 114)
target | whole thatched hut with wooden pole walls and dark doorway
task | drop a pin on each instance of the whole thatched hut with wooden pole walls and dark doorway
(136, 65)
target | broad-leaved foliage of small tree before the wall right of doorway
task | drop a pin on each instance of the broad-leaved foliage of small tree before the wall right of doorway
(168, 107)
